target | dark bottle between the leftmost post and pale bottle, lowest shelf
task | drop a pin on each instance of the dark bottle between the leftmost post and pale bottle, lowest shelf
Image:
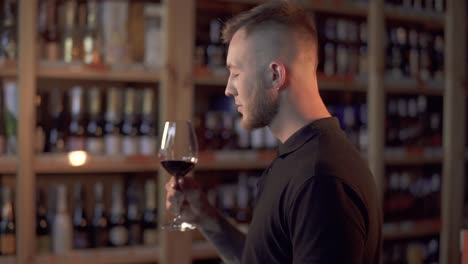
(42, 225)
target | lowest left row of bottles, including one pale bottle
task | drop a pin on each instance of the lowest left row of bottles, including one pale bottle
(59, 229)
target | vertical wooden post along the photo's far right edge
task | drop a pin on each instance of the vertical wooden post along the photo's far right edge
(454, 128)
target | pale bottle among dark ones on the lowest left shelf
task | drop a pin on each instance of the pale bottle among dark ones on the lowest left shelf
(62, 224)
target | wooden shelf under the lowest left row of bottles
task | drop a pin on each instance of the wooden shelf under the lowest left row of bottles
(107, 255)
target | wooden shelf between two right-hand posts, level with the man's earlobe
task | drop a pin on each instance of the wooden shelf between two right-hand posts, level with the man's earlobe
(414, 87)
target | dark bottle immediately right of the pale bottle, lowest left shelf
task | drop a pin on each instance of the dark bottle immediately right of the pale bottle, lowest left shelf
(80, 221)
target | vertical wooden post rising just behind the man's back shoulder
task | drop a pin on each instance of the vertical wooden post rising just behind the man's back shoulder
(376, 92)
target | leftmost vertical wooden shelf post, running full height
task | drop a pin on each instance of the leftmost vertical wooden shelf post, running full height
(25, 179)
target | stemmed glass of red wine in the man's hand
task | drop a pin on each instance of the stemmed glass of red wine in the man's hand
(178, 154)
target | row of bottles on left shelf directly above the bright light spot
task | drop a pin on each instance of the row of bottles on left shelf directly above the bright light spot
(117, 122)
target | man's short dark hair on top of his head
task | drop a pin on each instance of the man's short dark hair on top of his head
(277, 12)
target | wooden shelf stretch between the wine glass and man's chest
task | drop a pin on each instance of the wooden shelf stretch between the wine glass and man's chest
(239, 160)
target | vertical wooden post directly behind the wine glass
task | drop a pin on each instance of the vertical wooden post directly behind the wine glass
(176, 102)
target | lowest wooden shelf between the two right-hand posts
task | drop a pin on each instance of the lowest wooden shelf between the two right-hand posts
(414, 230)
